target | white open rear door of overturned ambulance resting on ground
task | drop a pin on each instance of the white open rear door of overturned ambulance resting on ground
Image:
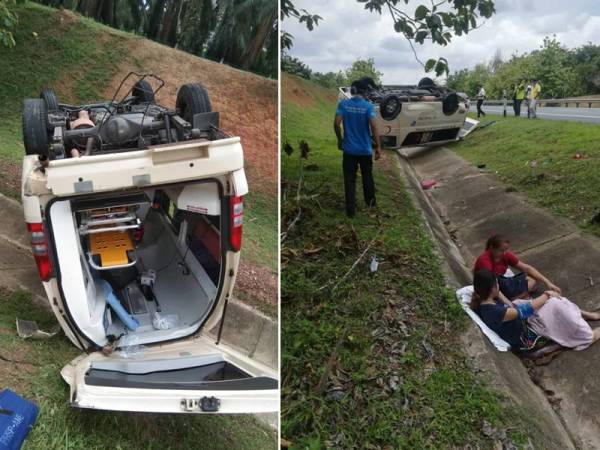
(191, 376)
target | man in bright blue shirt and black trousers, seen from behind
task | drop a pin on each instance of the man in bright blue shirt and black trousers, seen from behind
(358, 118)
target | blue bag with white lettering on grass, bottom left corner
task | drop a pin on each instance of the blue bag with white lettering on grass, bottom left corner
(17, 417)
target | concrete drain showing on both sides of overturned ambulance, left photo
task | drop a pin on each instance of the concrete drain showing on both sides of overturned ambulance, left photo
(245, 328)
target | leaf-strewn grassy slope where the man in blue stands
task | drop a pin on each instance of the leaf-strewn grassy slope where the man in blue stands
(375, 362)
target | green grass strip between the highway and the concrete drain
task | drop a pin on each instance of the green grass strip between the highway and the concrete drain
(537, 157)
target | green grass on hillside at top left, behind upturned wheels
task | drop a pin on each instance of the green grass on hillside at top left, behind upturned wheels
(79, 54)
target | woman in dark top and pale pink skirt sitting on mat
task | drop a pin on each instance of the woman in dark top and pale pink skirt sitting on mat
(548, 315)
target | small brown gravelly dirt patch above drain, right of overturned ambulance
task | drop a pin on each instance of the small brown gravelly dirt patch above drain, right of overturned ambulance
(256, 285)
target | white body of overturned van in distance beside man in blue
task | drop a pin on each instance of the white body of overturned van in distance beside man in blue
(420, 122)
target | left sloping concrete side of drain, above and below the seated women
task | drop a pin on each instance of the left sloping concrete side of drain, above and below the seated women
(504, 371)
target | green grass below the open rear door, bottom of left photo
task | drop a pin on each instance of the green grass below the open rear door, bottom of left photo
(61, 427)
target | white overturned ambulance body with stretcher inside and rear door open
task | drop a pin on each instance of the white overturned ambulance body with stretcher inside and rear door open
(176, 189)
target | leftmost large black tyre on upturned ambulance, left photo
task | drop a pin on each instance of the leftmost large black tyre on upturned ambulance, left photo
(35, 133)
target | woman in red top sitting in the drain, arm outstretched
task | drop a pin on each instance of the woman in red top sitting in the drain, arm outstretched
(497, 258)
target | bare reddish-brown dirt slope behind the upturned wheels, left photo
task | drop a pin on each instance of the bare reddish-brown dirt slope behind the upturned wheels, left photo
(247, 102)
